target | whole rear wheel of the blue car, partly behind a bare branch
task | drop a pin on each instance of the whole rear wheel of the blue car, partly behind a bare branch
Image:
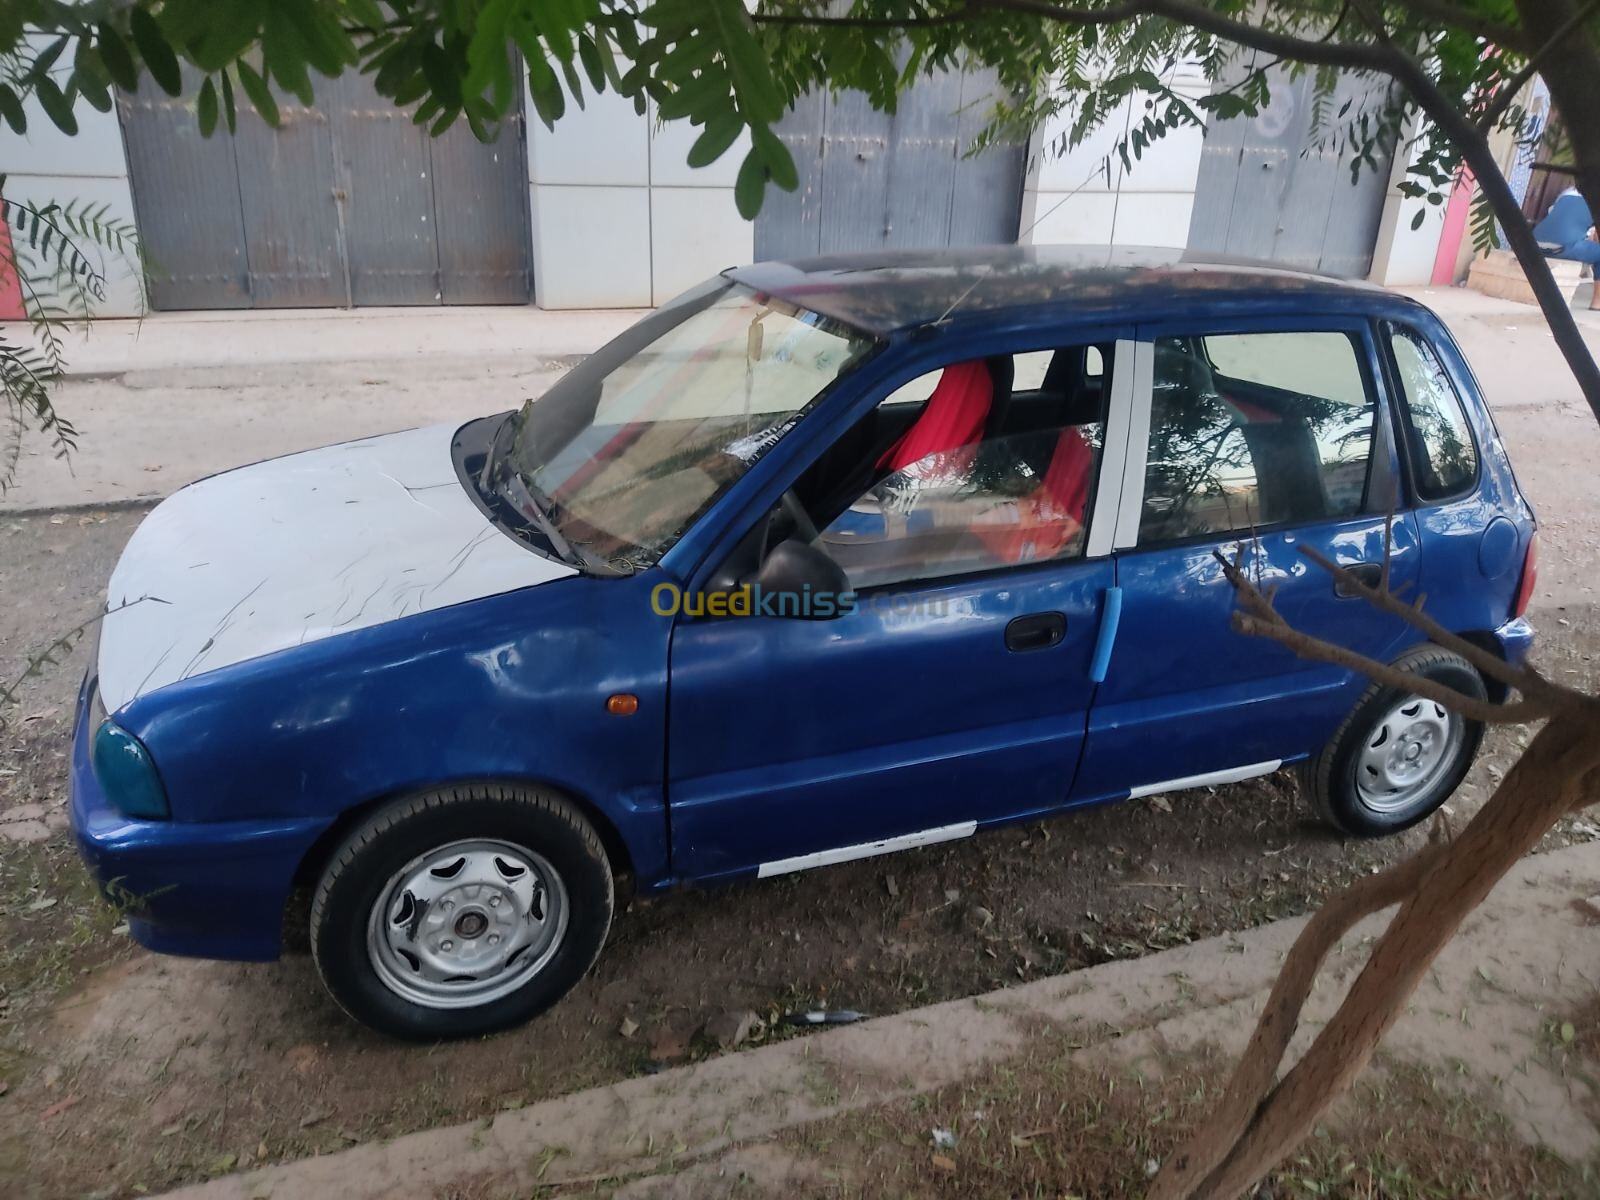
(1399, 756)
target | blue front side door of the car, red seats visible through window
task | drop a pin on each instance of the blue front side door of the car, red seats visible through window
(954, 692)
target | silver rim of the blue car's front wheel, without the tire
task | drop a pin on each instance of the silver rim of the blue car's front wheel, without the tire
(466, 924)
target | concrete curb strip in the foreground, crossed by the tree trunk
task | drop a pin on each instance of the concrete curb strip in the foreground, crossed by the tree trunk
(1479, 1023)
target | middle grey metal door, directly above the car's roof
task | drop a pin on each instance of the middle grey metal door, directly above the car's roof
(871, 182)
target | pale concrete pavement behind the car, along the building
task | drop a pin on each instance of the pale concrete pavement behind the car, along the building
(175, 398)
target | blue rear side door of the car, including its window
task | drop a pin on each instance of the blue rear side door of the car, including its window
(1270, 439)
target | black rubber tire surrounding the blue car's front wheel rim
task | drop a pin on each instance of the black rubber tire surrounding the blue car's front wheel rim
(391, 841)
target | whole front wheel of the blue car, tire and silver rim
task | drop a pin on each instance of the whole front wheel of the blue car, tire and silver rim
(462, 911)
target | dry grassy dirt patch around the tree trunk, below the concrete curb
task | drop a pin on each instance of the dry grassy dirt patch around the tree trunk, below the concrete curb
(1038, 1129)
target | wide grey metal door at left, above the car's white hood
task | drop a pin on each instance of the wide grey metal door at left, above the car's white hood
(345, 204)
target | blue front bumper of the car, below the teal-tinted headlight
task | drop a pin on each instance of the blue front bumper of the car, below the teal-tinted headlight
(209, 890)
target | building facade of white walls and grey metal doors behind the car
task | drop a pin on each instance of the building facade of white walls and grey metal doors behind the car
(350, 204)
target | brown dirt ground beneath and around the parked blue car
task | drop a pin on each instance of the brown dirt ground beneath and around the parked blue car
(129, 1073)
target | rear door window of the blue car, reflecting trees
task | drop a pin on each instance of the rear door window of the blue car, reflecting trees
(1255, 430)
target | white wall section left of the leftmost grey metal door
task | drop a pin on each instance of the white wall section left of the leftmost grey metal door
(87, 167)
